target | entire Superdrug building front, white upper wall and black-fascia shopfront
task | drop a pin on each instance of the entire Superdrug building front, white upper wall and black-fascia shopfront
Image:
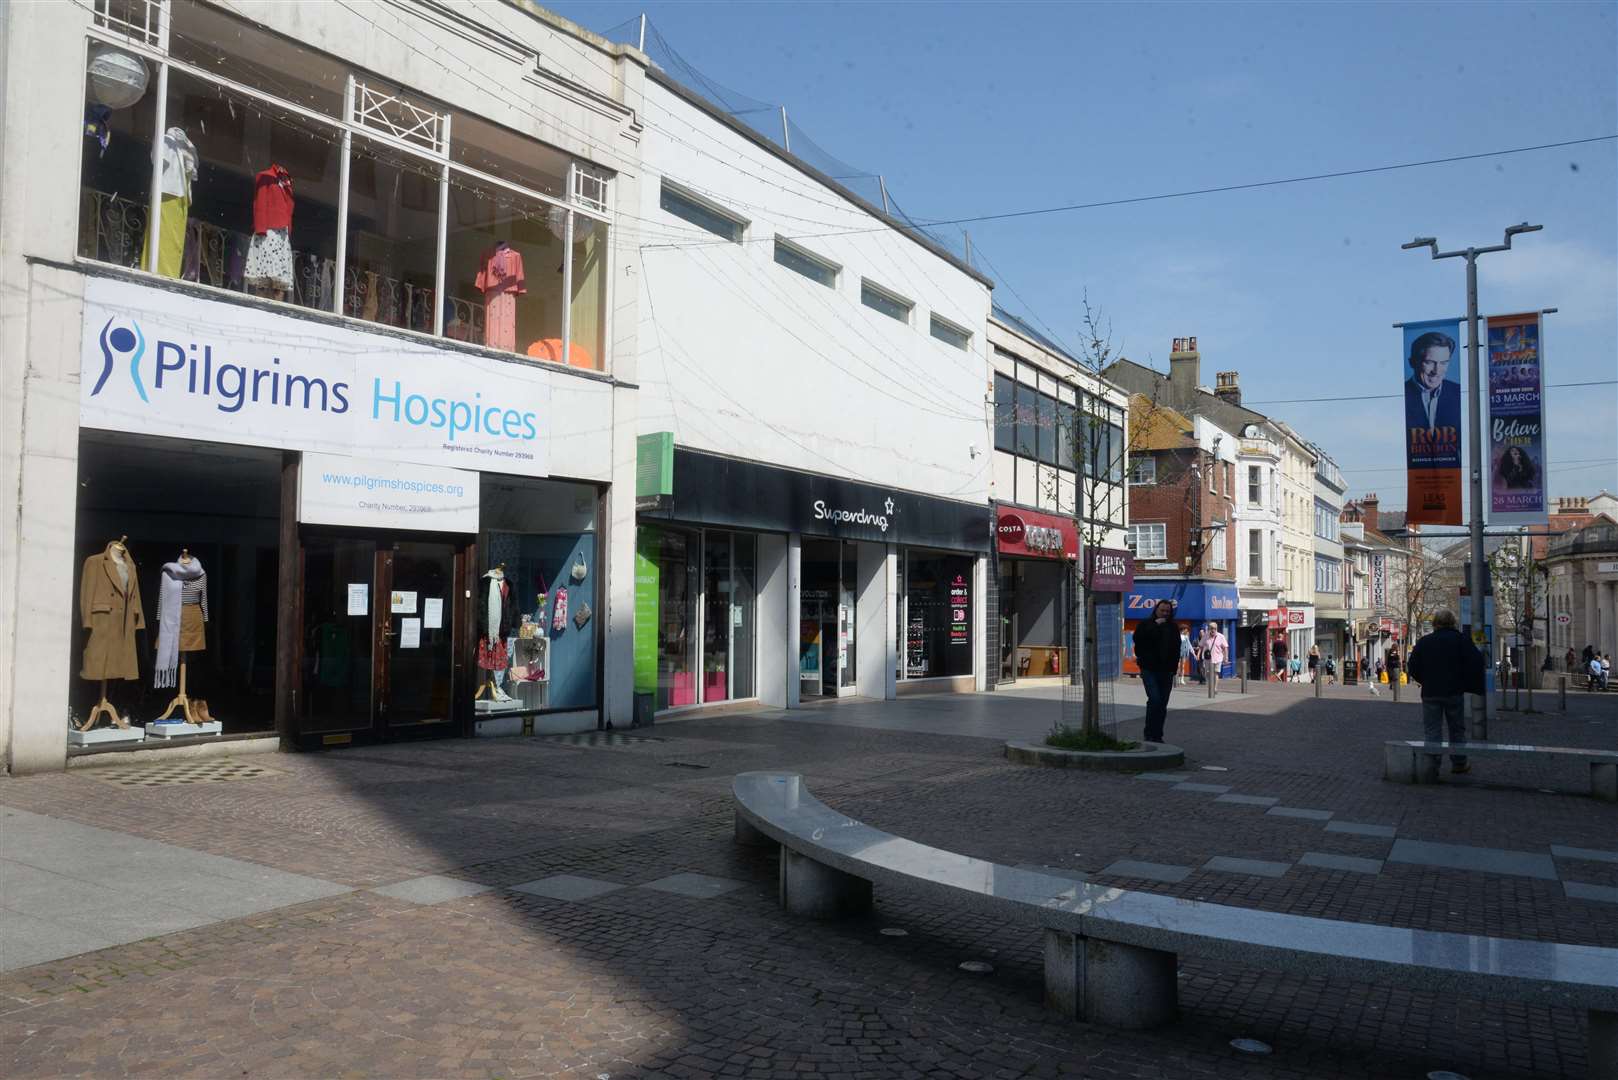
(815, 420)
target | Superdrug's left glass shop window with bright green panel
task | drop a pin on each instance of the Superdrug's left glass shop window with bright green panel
(705, 585)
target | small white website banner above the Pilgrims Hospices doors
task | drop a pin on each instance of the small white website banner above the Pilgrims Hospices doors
(373, 495)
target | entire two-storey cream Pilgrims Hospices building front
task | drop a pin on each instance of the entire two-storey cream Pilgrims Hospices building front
(320, 401)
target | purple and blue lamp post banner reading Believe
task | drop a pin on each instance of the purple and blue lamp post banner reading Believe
(1517, 422)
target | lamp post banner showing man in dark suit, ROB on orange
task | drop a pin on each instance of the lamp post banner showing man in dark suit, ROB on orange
(1433, 422)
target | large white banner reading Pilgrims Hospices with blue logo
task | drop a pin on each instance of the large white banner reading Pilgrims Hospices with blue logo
(164, 364)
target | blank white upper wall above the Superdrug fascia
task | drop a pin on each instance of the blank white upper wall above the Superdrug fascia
(747, 359)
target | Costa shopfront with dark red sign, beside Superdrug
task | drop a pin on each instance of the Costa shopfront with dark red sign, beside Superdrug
(1038, 555)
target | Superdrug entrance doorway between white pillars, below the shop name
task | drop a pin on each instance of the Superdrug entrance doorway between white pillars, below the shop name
(828, 616)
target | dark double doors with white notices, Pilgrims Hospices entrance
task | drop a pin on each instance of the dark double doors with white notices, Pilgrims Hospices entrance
(381, 632)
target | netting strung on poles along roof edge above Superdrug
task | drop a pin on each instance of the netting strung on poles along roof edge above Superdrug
(771, 122)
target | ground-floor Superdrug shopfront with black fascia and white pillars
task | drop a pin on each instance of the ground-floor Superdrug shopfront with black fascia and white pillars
(773, 585)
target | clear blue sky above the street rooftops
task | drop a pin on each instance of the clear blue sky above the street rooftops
(976, 109)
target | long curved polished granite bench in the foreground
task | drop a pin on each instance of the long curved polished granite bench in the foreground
(1112, 955)
